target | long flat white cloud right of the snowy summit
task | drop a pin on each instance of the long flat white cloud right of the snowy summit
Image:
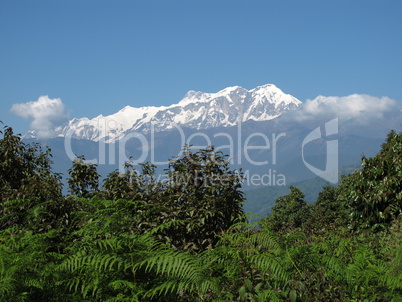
(358, 108)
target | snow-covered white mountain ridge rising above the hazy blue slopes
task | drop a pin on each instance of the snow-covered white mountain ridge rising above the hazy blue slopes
(197, 110)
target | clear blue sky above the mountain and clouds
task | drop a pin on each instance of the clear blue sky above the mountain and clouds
(99, 56)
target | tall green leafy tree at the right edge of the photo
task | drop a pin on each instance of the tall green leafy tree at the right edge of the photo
(374, 193)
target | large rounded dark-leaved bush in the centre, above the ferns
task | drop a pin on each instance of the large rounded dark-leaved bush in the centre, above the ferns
(205, 194)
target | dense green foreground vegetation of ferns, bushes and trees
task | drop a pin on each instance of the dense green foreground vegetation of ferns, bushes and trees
(186, 239)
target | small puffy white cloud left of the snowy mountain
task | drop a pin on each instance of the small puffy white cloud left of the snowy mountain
(46, 115)
